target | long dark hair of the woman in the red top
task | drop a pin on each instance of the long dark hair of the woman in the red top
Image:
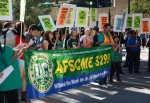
(18, 29)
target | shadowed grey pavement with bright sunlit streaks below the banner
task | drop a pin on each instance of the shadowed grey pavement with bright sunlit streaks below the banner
(135, 88)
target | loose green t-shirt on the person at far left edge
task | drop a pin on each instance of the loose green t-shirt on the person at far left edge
(13, 81)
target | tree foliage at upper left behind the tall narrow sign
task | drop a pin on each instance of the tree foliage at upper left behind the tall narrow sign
(34, 8)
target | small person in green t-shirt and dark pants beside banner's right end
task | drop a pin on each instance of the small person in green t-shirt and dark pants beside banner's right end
(116, 60)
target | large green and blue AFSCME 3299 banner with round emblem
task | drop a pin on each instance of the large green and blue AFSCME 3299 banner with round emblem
(49, 72)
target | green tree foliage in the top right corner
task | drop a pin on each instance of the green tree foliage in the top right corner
(141, 6)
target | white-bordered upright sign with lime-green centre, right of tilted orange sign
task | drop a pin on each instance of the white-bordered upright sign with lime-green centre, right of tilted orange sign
(81, 17)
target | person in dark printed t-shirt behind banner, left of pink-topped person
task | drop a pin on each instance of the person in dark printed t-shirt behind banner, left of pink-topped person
(73, 42)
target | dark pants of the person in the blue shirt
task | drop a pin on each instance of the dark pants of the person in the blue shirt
(134, 61)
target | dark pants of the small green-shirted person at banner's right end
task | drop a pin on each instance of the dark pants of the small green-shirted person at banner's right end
(115, 67)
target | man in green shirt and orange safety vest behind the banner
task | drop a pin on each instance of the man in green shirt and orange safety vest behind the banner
(104, 38)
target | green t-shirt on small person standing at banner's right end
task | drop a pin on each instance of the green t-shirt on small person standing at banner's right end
(116, 56)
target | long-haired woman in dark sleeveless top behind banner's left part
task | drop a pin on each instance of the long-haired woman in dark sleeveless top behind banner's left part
(48, 43)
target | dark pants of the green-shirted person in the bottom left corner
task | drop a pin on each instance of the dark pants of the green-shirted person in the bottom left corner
(9, 96)
